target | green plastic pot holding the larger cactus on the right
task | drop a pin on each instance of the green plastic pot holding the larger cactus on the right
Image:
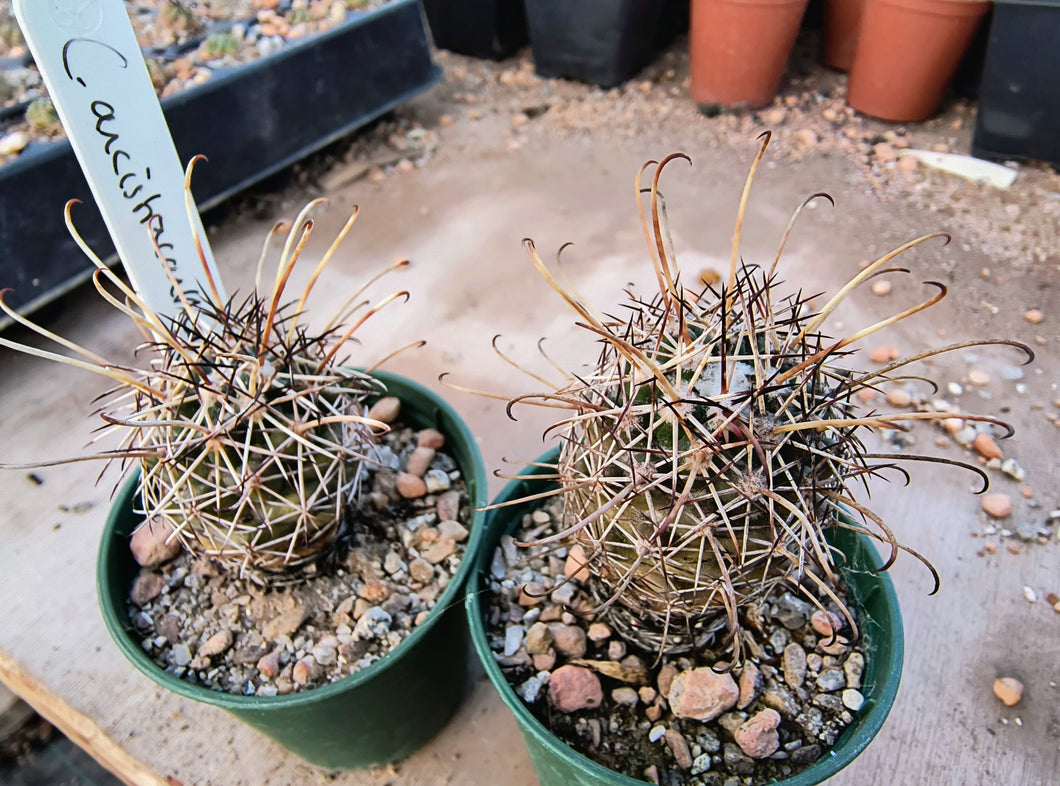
(559, 765)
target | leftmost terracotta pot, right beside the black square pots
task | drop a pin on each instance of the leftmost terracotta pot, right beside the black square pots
(740, 48)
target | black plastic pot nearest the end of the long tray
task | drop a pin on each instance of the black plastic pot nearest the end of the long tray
(489, 29)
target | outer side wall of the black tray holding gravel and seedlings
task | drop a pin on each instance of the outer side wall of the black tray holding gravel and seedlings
(250, 122)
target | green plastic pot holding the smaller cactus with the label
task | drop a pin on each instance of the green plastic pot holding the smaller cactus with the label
(355, 723)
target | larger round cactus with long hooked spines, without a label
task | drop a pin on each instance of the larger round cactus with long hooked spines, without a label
(713, 445)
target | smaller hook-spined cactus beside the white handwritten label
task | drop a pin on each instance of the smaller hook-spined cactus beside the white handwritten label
(252, 438)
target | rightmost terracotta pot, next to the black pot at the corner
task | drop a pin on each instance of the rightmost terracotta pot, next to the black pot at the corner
(908, 53)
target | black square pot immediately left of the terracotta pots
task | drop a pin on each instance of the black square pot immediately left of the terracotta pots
(600, 43)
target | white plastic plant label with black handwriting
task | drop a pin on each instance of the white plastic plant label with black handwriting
(96, 75)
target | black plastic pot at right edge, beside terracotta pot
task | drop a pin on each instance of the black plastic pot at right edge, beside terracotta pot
(1020, 94)
